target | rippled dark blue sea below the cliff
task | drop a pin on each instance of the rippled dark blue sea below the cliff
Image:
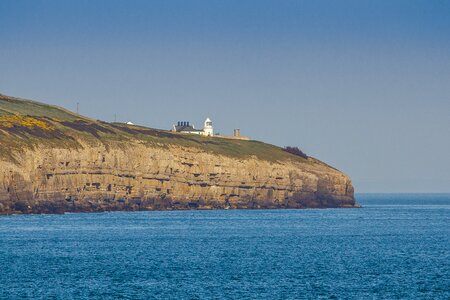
(397, 246)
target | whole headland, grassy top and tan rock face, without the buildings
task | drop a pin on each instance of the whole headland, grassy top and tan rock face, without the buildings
(54, 161)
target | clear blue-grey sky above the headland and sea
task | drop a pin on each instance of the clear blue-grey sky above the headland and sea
(362, 85)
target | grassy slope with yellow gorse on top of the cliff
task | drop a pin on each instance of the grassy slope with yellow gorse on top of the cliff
(24, 123)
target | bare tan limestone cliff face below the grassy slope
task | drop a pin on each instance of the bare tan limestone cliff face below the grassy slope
(138, 176)
